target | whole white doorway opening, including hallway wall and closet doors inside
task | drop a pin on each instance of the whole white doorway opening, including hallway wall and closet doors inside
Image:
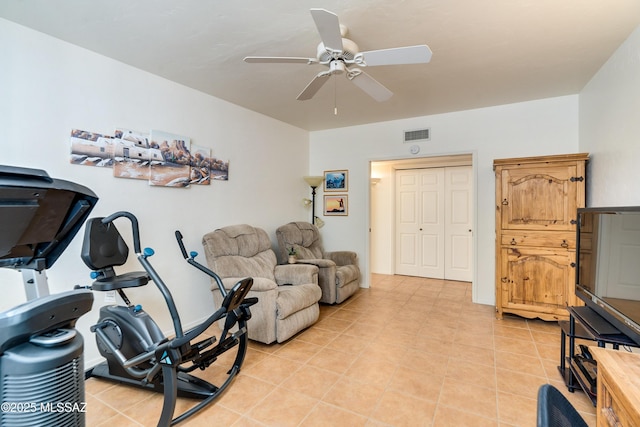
(421, 217)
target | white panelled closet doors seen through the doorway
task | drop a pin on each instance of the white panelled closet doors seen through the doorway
(433, 223)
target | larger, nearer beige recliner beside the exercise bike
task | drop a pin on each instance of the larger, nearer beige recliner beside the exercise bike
(287, 294)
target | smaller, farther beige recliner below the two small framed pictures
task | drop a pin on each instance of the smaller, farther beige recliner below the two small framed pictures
(339, 274)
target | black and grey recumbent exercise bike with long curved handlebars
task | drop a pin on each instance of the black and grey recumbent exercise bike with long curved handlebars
(135, 349)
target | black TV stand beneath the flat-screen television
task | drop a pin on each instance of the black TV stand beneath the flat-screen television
(578, 370)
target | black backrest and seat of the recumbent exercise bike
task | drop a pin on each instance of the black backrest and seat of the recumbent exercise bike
(104, 248)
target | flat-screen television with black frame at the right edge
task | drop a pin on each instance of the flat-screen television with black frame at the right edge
(608, 265)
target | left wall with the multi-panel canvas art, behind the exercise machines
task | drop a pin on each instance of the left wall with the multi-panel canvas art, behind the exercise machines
(48, 88)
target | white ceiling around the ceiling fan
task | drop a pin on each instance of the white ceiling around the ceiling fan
(485, 53)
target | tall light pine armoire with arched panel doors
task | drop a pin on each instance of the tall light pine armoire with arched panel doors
(536, 211)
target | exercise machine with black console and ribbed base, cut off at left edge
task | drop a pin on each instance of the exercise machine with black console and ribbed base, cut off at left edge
(41, 351)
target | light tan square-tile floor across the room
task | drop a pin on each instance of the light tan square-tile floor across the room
(406, 352)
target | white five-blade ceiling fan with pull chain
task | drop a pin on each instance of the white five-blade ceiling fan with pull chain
(341, 55)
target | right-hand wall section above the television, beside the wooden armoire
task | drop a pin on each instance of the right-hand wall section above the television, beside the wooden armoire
(610, 128)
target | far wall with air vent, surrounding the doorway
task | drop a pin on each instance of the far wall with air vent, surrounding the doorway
(548, 126)
